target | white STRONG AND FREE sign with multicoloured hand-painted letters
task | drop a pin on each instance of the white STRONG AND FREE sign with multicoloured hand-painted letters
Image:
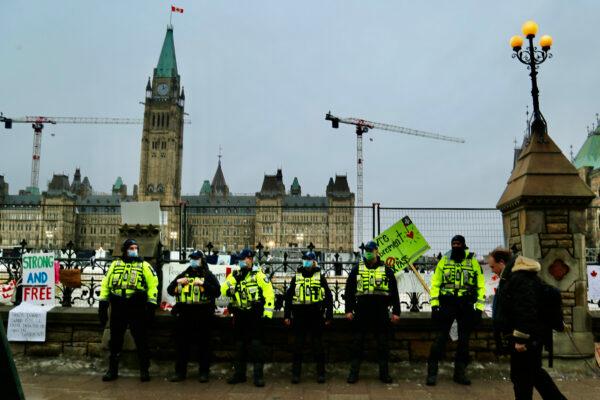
(38, 279)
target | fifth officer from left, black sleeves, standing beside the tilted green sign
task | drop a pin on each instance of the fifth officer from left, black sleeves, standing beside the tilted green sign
(370, 290)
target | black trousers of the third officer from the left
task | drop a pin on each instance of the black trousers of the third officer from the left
(248, 335)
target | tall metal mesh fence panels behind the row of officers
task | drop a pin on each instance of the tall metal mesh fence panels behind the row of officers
(279, 233)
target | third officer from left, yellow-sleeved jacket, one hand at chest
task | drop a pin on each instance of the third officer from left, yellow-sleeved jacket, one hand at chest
(252, 301)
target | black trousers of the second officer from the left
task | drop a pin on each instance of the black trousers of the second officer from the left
(193, 329)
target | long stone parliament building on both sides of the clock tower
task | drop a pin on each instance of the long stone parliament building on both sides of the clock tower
(276, 219)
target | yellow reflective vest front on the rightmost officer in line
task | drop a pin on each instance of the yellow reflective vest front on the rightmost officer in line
(458, 278)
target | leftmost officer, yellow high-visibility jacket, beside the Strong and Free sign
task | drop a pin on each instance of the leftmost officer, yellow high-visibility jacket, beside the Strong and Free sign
(130, 287)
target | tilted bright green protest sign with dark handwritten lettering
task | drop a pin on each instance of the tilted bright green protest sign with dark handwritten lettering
(401, 244)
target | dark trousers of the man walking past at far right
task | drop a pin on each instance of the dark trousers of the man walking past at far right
(526, 372)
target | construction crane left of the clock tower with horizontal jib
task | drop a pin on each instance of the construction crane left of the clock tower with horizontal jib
(37, 123)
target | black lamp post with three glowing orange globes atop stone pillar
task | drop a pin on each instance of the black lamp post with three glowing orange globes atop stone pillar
(533, 57)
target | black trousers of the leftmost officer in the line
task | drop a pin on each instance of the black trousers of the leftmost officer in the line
(129, 313)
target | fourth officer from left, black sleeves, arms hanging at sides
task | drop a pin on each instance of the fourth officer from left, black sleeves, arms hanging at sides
(309, 301)
